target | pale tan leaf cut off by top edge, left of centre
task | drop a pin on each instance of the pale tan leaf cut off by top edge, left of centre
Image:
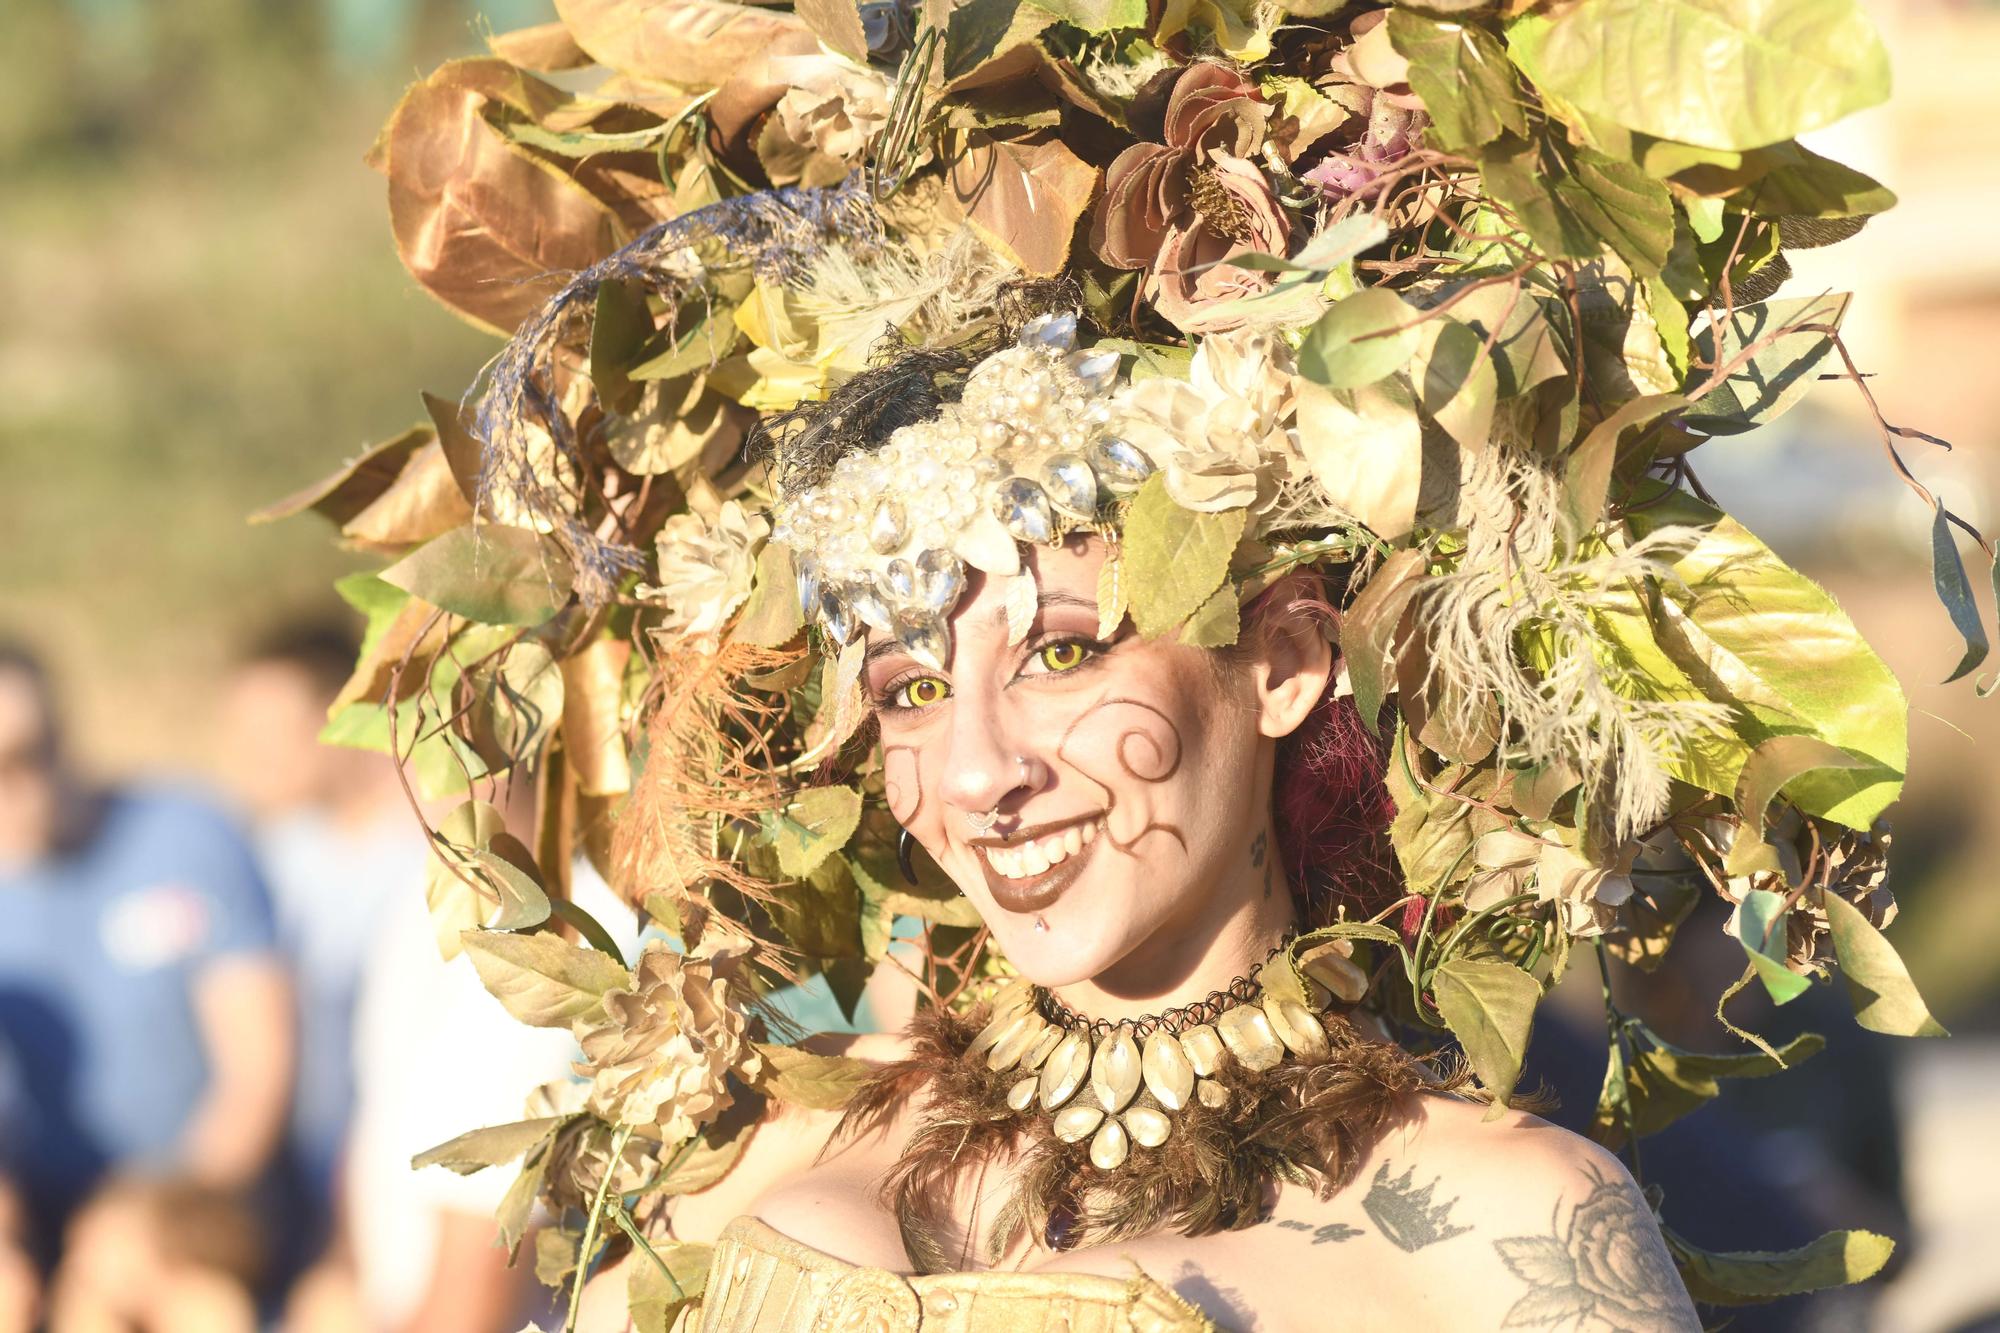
(689, 43)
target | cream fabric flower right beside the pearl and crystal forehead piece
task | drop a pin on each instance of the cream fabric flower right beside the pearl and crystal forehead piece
(1225, 435)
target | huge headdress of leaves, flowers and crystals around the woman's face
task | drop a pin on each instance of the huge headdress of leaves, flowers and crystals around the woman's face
(1449, 293)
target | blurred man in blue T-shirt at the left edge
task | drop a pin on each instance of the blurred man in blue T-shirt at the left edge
(141, 996)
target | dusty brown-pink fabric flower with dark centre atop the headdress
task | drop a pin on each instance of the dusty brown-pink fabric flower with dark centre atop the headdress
(1195, 199)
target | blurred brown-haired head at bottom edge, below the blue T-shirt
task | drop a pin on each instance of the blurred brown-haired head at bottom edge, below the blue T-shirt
(161, 1256)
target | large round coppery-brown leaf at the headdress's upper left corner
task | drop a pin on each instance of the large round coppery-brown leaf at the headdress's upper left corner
(485, 225)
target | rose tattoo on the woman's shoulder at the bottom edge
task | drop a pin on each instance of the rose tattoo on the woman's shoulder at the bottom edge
(1605, 1268)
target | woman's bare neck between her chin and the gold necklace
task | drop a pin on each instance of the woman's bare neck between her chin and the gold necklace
(1185, 960)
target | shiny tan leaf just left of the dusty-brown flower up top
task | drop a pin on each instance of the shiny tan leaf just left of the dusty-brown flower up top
(1025, 199)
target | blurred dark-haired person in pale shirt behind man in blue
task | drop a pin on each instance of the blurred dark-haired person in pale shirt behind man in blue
(337, 842)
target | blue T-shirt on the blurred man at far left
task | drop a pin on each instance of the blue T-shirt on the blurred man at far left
(101, 952)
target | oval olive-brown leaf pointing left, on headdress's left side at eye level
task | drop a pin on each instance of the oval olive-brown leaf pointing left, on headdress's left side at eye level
(487, 573)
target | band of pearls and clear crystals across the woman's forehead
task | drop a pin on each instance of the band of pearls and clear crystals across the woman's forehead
(1023, 457)
